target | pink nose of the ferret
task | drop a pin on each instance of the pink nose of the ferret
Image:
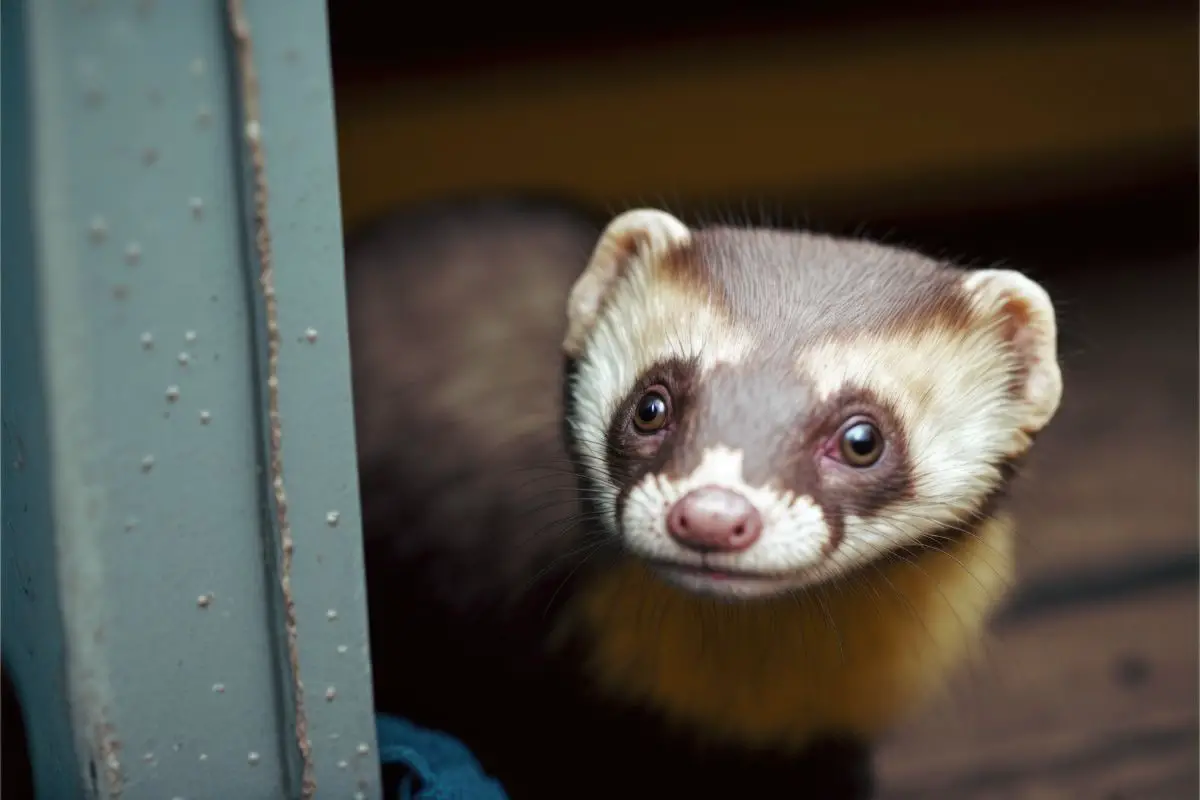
(715, 520)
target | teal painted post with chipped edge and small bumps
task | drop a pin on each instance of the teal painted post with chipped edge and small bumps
(145, 617)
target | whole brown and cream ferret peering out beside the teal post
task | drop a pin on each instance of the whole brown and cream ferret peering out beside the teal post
(656, 510)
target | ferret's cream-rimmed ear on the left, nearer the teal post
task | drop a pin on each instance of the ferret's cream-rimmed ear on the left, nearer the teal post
(631, 237)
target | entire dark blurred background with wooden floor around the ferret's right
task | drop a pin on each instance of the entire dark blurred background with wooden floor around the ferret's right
(1060, 139)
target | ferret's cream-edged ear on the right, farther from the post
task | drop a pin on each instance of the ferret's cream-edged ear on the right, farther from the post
(1025, 316)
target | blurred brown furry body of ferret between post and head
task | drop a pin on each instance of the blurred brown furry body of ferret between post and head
(457, 316)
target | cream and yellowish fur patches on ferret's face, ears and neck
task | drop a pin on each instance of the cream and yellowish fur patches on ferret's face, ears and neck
(847, 642)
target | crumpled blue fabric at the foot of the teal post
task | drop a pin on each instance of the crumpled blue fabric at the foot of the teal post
(436, 766)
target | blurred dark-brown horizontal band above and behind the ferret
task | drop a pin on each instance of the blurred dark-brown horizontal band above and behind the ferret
(927, 113)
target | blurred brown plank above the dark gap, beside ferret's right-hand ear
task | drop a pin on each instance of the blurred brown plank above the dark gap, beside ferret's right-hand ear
(1114, 480)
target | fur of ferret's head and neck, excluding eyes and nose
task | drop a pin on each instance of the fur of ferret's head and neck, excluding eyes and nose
(767, 344)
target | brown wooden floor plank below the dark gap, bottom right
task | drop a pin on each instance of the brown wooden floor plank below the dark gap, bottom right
(1100, 702)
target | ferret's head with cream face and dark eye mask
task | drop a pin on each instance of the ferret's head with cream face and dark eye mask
(759, 411)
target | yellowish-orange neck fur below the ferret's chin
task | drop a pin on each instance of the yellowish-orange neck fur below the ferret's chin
(851, 658)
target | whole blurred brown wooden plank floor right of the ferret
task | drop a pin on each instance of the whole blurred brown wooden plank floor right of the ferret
(1091, 684)
